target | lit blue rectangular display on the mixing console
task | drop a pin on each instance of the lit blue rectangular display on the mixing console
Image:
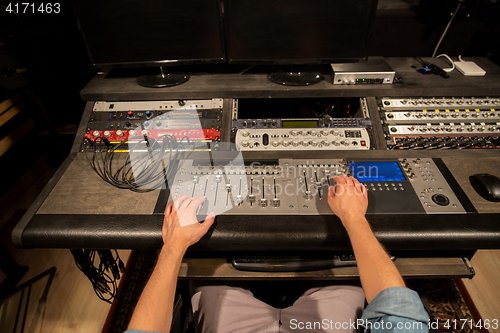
(377, 171)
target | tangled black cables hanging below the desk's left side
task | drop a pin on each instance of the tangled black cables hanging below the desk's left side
(104, 276)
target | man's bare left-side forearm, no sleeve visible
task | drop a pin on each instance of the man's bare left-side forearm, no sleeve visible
(155, 306)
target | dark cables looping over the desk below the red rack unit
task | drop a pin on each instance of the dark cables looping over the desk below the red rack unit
(145, 172)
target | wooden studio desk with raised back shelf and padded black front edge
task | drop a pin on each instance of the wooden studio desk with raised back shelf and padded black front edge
(78, 210)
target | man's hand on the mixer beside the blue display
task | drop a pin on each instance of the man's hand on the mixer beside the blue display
(349, 200)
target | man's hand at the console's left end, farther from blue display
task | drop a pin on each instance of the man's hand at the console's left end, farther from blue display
(180, 226)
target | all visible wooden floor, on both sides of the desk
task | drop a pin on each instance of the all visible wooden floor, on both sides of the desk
(73, 307)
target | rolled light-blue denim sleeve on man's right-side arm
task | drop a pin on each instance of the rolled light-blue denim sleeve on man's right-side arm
(396, 309)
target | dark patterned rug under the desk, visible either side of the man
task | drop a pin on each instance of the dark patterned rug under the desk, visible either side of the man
(448, 309)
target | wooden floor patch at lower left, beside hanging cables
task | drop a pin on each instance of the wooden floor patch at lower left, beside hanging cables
(72, 305)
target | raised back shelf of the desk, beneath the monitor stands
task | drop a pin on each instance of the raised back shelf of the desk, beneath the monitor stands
(102, 88)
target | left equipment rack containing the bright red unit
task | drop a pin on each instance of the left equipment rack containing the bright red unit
(196, 121)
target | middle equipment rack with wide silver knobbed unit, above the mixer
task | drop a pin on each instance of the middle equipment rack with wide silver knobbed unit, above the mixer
(350, 131)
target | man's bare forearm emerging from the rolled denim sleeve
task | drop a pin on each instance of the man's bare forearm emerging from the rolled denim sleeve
(376, 269)
